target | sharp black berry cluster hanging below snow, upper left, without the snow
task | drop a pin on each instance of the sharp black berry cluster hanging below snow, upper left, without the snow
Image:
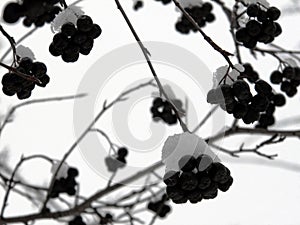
(73, 40)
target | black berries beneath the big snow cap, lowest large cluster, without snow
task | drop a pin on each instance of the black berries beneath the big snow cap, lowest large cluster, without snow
(199, 178)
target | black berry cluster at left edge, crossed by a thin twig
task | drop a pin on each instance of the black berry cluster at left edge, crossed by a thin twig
(15, 84)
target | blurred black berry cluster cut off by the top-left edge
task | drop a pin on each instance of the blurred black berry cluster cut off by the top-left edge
(37, 12)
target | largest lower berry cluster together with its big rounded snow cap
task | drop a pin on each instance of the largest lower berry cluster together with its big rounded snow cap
(193, 172)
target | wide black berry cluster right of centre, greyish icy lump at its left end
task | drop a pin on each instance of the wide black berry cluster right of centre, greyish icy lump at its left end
(237, 98)
